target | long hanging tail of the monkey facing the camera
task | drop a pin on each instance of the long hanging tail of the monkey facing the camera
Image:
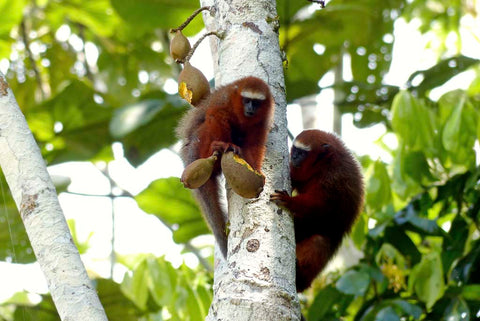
(208, 198)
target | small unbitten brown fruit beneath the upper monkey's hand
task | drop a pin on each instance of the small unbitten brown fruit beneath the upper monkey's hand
(198, 172)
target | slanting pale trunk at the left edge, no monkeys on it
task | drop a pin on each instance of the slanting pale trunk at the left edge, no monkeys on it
(37, 202)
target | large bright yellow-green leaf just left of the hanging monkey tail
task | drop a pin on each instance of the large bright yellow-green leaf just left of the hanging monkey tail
(173, 204)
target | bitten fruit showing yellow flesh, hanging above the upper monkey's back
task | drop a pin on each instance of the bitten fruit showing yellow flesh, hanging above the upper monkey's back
(192, 84)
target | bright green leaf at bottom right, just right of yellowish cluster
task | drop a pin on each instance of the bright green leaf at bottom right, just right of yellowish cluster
(426, 279)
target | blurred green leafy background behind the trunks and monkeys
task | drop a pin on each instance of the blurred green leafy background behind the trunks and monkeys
(92, 73)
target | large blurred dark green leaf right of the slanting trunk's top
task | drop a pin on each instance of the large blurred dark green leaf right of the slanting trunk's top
(84, 125)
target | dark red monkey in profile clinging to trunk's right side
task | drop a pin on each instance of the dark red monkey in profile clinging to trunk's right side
(329, 197)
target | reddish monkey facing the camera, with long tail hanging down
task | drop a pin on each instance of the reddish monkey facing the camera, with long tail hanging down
(235, 117)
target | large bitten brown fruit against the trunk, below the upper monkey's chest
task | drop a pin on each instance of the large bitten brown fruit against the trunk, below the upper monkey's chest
(241, 177)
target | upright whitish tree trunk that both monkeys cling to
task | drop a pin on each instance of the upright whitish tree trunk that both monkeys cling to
(257, 282)
